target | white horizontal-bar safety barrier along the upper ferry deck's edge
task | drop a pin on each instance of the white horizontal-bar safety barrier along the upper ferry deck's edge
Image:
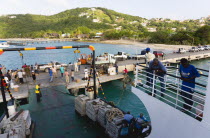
(170, 92)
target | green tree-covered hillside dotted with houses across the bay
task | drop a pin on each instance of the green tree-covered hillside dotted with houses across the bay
(113, 25)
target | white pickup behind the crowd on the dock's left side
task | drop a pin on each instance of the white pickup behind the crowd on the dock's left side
(44, 67)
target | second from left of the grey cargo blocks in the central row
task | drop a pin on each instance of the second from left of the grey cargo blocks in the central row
(92, 107)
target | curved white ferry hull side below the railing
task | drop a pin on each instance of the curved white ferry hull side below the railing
(168, 122)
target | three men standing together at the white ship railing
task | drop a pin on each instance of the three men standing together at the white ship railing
(188, 73)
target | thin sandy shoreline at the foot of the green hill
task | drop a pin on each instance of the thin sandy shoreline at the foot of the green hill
(118, 42)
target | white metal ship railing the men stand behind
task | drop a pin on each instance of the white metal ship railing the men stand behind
(173, 94)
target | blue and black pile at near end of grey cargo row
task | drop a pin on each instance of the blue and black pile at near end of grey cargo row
(135, 127)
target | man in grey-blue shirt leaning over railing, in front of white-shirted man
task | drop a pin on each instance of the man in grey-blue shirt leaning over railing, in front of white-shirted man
(156, 67)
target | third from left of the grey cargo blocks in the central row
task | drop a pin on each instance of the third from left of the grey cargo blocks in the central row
(101, 118)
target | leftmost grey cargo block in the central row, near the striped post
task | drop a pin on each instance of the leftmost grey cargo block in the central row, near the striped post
(80, 104)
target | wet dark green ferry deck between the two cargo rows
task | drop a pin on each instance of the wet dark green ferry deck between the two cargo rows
(55, 116)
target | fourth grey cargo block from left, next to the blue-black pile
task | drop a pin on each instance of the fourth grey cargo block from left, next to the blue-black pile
(113, 128)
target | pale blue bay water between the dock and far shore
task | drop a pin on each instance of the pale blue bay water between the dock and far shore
(12, 59)
